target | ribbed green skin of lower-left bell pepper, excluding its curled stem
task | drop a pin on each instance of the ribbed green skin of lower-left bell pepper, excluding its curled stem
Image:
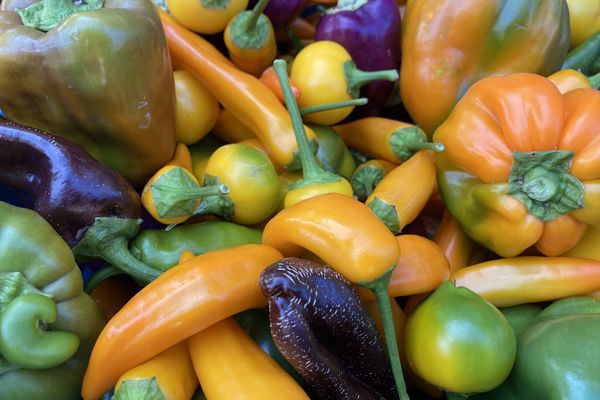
(31, 247)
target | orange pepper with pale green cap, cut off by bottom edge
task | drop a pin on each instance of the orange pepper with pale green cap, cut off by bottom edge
(168, 375)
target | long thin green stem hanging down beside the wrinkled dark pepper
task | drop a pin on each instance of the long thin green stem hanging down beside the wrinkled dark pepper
(379, 288)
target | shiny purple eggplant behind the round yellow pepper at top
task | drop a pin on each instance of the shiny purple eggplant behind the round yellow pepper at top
(370, 31)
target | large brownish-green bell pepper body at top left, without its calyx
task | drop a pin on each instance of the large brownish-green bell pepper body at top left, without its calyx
(102, 79)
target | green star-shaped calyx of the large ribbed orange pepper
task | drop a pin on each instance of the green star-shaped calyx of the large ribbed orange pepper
(541, 181)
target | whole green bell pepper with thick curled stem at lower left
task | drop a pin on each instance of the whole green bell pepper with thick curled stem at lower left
(48, 325)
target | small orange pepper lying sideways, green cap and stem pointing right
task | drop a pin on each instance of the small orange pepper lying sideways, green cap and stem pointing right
(385, 138)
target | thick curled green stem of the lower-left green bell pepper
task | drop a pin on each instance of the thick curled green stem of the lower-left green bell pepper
(22, 340)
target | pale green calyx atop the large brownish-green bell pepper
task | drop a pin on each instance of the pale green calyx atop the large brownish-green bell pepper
(46, 15)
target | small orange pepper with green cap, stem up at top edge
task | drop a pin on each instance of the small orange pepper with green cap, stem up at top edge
(250, 39)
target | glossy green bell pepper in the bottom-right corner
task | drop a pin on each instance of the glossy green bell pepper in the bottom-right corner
(557, 353)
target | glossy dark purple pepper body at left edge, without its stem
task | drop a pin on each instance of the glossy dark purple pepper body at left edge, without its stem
(65, 184)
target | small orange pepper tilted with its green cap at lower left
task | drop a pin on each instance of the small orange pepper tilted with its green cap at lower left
(401, 195)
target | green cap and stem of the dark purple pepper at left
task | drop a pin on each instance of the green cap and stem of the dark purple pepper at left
(108, 239)
